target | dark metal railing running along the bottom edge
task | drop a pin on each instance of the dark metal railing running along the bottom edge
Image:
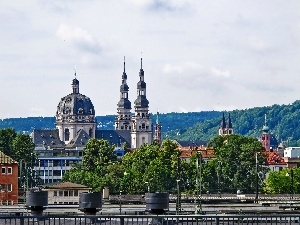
(250, 219)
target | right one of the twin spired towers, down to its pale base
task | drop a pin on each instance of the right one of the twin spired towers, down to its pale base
(141, 132)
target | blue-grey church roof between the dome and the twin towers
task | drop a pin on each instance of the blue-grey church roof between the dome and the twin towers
(115, 137)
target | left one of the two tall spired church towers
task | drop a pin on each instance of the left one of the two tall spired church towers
(123, 118)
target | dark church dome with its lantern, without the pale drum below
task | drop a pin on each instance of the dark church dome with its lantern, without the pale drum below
(75, 107)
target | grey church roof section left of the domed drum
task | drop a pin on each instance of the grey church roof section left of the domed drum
(43, 138)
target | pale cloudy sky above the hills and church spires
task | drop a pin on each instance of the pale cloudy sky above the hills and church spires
(197, 55)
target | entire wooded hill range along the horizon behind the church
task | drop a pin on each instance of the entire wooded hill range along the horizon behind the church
(283, 121)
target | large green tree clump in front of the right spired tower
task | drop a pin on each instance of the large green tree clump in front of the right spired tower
(153, 164)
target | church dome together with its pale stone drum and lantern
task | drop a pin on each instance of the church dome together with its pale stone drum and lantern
(75, 112)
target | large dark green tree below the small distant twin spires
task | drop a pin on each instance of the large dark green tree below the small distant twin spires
(236, 156)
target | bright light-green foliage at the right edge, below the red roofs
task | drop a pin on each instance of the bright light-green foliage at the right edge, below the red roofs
(284, 181)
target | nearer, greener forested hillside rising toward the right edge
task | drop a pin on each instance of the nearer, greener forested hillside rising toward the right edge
(283, 121)
